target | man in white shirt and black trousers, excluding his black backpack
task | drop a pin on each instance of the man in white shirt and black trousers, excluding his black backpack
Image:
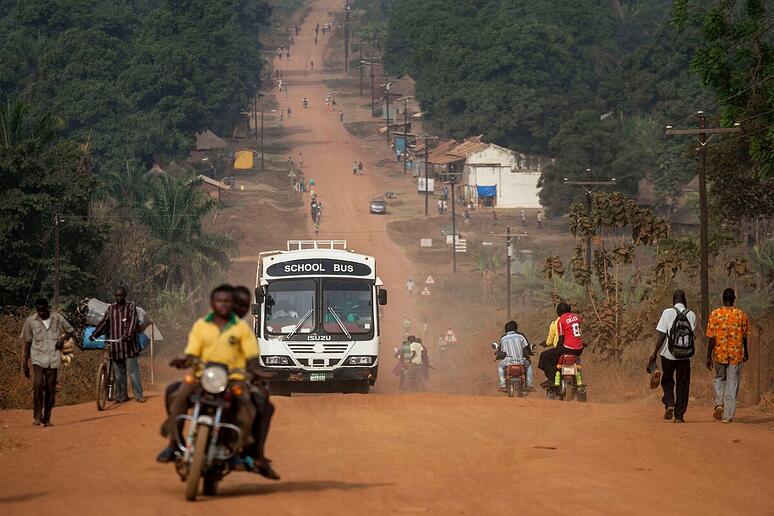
(676, 373)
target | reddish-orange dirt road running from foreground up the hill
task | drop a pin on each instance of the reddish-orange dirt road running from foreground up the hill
(393, 454)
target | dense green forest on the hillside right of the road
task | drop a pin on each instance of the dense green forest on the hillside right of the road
(592, 83)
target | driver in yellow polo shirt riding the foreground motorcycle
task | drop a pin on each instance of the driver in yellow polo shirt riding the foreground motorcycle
(222, 338)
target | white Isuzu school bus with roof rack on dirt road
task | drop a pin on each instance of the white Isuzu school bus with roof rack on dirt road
(317, 317)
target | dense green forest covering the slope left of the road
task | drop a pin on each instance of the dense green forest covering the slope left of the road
(92, 93)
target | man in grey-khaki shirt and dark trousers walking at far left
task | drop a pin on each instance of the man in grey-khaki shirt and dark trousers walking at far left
(42, 335)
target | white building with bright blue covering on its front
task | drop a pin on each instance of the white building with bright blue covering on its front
(497, 177)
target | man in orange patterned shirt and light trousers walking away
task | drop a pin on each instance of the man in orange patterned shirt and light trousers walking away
(727, 331)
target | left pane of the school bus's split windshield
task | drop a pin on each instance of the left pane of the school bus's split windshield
(293, 302)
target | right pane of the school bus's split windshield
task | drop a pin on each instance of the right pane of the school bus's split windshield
(349, 301)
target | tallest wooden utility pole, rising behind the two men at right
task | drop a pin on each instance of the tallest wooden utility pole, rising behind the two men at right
(702, 132)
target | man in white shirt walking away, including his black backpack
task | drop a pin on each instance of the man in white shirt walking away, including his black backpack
(675, 335)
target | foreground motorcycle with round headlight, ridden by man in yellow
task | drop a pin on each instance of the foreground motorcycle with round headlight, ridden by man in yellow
(209, 441)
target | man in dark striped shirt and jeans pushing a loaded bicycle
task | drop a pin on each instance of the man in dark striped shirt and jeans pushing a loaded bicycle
(120, 322)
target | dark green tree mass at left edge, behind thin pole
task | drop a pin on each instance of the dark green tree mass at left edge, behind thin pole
(41, 177)
